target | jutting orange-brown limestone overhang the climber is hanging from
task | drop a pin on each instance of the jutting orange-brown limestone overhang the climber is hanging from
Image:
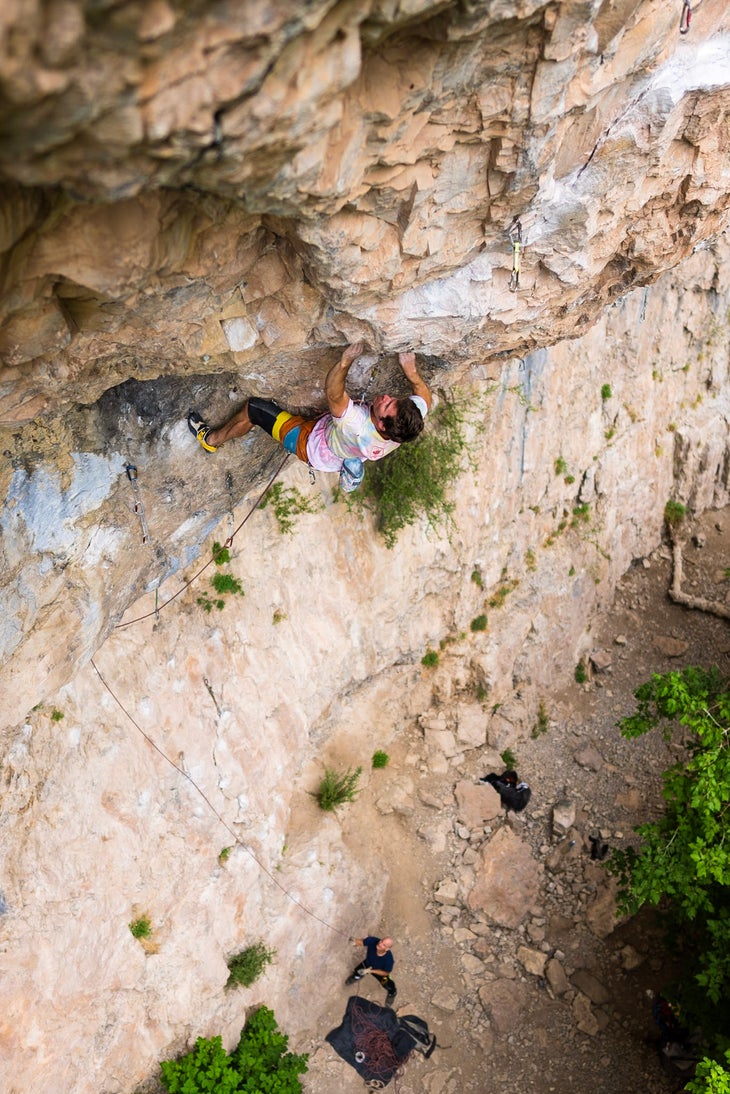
(198, 206)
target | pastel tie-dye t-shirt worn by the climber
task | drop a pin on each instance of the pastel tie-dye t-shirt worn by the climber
(354, 435)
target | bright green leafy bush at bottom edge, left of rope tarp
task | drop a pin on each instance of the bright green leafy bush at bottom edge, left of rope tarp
(260, 1064)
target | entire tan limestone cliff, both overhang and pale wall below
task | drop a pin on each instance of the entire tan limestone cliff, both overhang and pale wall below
(201, 203)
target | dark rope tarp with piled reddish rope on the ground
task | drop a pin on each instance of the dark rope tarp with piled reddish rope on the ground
(372, 1041)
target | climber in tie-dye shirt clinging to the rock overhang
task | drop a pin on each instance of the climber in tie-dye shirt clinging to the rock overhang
(342, 439)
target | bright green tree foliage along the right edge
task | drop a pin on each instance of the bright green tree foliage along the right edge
(682, 864)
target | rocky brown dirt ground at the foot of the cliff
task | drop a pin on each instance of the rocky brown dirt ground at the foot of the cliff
(505, 1029)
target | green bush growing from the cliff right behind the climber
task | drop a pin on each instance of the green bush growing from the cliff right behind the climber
(414, 482)
